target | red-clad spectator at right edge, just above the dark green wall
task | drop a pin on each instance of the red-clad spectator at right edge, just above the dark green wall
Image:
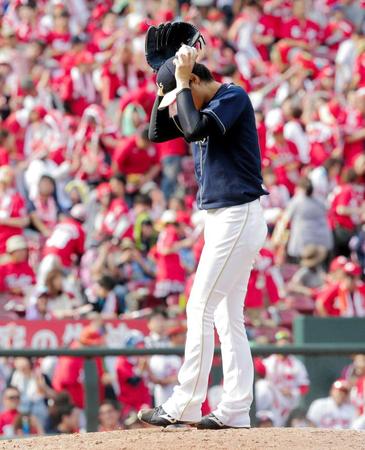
(346, 298)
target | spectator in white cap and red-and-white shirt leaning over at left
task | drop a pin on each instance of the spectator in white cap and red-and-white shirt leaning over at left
(65, 245)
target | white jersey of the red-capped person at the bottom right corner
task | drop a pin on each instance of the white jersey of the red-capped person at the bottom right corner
(325, 413)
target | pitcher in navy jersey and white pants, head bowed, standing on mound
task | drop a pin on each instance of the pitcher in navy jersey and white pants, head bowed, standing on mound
(219, 120)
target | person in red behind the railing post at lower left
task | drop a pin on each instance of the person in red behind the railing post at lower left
(69, 371)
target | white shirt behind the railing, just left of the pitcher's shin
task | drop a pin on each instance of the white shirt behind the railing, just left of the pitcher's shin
(162, 367)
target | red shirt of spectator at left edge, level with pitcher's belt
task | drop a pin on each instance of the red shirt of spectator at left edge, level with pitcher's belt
(12, 205)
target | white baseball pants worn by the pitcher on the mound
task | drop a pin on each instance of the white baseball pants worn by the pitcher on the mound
(233, 238)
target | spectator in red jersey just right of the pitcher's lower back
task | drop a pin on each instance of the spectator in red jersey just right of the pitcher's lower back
(284, 158)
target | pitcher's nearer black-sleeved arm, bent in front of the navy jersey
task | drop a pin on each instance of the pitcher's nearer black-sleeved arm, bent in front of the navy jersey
(195, 125)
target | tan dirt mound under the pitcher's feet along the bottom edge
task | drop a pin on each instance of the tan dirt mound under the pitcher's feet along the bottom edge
(151, 439)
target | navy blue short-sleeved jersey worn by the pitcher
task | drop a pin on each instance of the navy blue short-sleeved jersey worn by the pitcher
(228, 161)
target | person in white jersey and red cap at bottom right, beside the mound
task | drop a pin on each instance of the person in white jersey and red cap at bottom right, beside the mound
(335, 411)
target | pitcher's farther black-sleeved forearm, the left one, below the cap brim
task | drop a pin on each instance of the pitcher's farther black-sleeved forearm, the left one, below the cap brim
(162, 128)
